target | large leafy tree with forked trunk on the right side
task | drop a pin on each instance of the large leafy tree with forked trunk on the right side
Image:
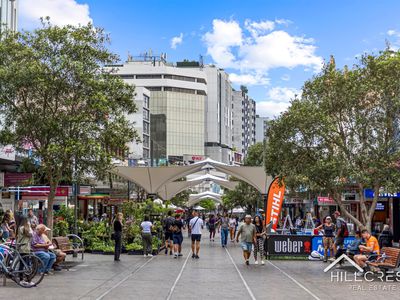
(342, 131)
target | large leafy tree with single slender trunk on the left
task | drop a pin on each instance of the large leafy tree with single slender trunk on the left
(57, 97)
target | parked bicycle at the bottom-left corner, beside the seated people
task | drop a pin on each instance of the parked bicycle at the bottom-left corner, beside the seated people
(23, 269)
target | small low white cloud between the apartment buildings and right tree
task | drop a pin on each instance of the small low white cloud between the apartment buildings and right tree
(278, 101)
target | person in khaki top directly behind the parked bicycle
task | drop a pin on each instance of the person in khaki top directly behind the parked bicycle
(24, 239)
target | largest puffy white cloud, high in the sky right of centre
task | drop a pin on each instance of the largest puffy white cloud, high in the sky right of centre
(259, 47)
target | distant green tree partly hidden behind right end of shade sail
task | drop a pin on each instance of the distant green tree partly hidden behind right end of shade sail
(245, 195)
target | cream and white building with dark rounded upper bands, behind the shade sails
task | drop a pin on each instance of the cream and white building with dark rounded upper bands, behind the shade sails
(177, 105)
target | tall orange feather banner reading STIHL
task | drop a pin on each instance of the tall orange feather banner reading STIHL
(276, 193)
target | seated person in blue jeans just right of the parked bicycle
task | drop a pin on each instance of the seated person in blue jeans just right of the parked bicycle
(40, 248)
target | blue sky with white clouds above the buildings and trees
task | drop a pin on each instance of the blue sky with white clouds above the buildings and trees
(271, 46)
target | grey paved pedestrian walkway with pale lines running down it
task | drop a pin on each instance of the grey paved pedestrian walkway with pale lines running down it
(219, 274)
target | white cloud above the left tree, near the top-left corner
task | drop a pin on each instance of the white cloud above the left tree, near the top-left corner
(61, 12)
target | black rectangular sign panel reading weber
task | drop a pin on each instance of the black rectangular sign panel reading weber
(289, 245)
